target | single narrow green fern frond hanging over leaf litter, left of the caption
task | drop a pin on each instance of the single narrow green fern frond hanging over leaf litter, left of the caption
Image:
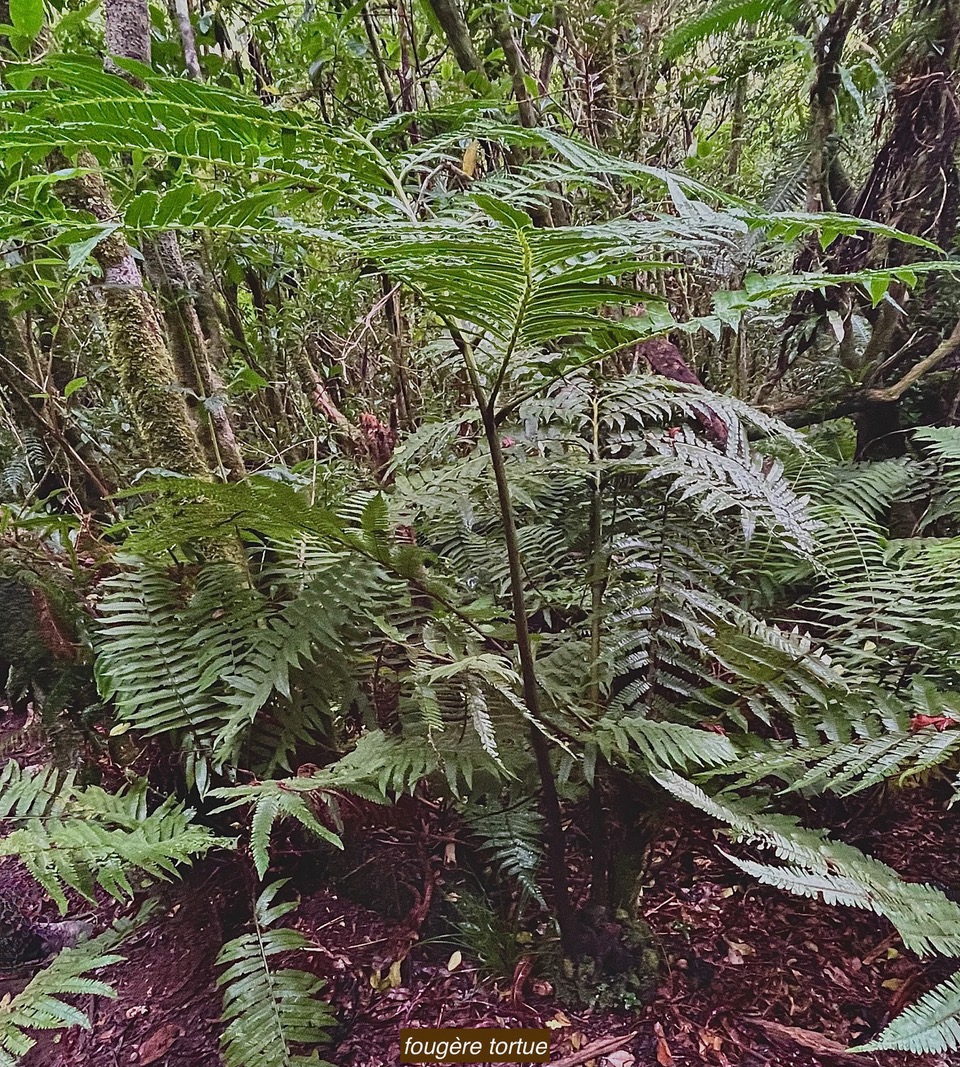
(268, 1010)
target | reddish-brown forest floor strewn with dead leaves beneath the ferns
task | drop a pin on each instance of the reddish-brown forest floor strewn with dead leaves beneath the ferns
(750, 977)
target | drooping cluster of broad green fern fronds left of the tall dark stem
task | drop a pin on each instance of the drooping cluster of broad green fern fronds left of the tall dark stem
(218, 661)
